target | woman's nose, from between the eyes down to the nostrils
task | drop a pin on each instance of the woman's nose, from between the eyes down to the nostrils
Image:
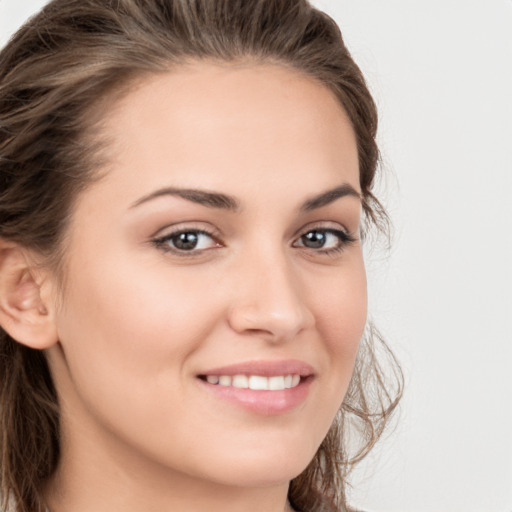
(269, 301)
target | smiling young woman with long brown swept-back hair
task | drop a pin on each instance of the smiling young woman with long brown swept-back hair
(184, 185)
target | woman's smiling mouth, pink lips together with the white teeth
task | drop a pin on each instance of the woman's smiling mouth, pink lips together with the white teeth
(264, 388)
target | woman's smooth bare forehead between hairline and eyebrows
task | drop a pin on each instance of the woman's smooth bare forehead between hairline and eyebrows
(223, 125)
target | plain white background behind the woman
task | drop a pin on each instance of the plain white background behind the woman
(441, 72)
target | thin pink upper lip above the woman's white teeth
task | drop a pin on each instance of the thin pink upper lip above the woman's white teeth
(264, 368)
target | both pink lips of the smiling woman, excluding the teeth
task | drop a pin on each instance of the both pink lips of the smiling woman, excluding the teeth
(265, 403)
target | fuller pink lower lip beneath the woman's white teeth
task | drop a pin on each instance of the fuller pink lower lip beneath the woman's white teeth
(266, 403)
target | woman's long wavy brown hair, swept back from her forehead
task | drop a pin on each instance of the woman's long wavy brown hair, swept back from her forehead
(76, 53)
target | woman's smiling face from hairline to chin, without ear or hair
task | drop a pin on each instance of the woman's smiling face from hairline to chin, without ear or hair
(215, 287)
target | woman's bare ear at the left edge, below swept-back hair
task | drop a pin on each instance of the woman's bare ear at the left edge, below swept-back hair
(24, 315)
